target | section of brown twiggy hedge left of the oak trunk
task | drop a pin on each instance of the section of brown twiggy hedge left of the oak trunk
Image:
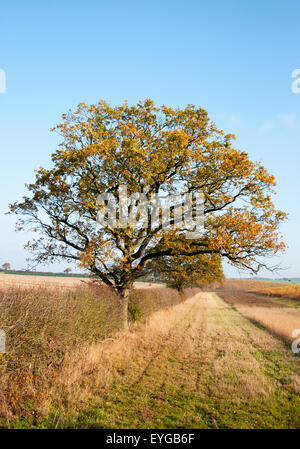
(41, 328)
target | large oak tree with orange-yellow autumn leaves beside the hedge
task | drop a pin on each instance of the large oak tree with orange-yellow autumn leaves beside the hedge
(150, 150)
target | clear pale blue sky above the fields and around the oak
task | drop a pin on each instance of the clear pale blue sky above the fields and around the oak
(234, 58)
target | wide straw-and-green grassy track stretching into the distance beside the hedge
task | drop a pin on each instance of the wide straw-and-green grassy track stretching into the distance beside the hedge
(211, 368)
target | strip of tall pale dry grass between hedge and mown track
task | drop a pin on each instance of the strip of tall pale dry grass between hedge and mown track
(95, 367)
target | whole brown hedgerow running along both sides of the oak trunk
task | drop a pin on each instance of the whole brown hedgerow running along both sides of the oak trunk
(48, 332)
